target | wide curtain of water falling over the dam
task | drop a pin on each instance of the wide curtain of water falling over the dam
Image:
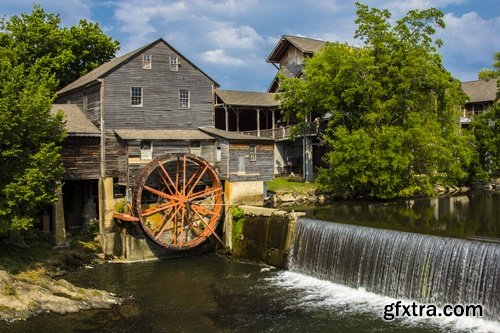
(427, 269)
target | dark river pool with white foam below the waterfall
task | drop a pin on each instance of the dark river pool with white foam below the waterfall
(219, 294)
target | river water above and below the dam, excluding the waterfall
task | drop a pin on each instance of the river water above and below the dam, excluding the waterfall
(215, 293)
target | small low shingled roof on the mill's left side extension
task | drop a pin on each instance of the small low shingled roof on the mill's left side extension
(77, 123)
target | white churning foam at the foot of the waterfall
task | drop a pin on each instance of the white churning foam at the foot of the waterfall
(317, 293)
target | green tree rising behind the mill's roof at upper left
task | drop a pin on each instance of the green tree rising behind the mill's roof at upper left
(38, 38)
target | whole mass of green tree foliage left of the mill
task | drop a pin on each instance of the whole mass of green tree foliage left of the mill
(37, 56)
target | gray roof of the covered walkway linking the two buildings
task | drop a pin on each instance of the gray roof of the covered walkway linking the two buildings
(247, 98)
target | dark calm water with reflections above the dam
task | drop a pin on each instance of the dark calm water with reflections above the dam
(471, 215)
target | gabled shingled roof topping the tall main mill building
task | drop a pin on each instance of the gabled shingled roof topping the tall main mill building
(100, 71)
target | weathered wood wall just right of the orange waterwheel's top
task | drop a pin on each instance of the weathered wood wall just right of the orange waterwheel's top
(260, 169)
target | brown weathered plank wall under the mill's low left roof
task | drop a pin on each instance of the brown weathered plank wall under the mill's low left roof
(80, 157)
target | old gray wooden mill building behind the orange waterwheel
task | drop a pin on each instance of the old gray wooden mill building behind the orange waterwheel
(139, 106)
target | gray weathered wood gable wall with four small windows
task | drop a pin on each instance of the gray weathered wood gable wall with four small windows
(160, 92)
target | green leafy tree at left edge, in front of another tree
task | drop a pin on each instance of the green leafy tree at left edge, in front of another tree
(30, 140)
